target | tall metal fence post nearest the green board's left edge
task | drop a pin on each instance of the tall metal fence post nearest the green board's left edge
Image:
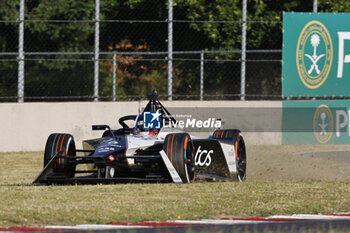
(243, 56)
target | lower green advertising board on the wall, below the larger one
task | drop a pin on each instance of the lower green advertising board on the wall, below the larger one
(316, 122)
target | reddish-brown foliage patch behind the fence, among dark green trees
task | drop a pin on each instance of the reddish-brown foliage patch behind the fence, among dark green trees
(135, 75)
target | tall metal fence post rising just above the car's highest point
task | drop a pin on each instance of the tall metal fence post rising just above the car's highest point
(170, 49)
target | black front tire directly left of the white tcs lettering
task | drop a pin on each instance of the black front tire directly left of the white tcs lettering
(180, 151)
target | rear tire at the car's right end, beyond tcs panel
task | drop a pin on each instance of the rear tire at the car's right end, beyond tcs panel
(241, 156)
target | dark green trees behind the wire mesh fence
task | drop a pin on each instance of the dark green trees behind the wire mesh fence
(206, 31)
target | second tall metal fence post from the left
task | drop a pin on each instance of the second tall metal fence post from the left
(97, 45)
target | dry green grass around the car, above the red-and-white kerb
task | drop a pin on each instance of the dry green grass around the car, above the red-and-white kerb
(22, 204)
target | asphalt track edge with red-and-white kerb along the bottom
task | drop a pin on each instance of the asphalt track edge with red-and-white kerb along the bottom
(339, 222)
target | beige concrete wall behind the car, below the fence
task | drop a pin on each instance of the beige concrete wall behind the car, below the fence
(26, 126)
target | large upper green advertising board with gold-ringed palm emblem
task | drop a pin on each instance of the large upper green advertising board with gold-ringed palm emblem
(316, 55)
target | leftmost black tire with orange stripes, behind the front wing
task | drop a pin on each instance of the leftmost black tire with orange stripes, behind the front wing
(65, 145)
